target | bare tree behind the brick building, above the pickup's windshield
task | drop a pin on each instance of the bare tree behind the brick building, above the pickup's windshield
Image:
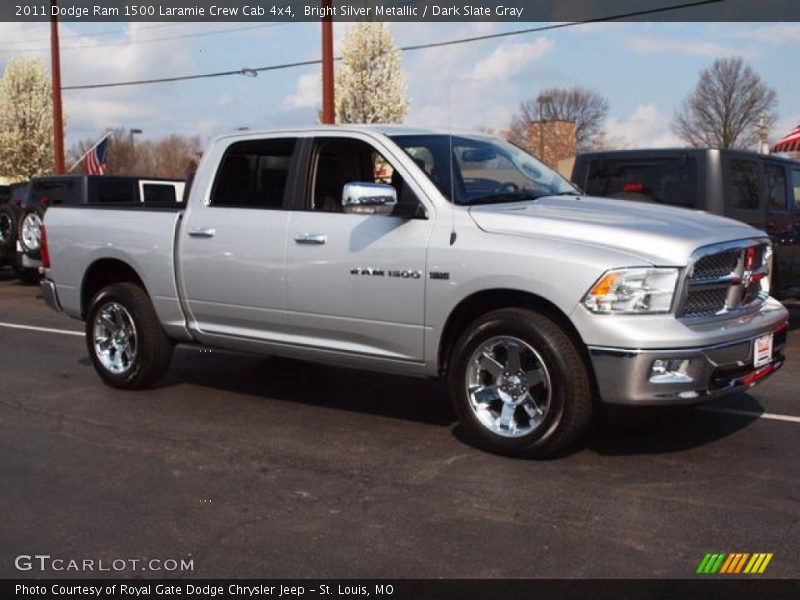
(585, 107)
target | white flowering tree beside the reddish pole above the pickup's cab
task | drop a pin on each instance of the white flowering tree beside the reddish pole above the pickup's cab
(370, 86)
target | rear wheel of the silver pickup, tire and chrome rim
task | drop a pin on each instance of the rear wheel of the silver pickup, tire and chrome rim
(124, 337)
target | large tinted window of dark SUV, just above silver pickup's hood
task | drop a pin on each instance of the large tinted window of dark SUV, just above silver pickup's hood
(671, 181)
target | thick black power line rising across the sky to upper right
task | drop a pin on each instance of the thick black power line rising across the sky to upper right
(410, 48)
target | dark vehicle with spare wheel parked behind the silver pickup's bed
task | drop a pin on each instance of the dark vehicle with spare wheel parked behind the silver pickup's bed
(68, 190)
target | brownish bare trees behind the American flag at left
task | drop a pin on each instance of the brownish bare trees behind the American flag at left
(173, 156)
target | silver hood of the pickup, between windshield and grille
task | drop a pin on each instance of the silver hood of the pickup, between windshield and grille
(661, 235)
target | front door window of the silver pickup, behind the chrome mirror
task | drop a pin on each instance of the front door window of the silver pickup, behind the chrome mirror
(339, 161)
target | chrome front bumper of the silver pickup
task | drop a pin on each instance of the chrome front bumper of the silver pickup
(624, 375)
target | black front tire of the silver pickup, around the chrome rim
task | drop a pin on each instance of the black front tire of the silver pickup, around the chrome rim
(569, 412)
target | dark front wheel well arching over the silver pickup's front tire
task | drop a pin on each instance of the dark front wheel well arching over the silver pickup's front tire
(472, 307)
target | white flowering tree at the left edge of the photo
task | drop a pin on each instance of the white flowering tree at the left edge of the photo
(26, 120)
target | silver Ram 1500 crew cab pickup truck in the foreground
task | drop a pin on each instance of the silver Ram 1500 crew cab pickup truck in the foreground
(428, 254)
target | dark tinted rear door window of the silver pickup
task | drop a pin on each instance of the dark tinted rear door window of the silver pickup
(254, 174)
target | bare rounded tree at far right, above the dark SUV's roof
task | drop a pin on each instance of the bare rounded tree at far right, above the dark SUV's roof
(725, 107)
